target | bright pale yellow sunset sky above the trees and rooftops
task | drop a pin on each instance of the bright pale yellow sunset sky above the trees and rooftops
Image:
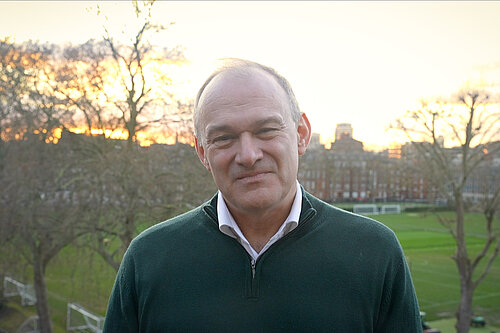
(363, 63)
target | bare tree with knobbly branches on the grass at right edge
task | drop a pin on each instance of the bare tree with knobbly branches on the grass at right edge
(472, 127)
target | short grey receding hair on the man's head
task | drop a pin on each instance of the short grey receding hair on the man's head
(243, 66)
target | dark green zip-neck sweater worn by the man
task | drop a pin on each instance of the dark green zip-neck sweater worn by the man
(336, 272)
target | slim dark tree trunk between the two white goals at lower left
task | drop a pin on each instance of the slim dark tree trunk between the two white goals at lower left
(42, 304)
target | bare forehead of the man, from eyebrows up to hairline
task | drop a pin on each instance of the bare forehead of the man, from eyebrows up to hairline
(243, 95)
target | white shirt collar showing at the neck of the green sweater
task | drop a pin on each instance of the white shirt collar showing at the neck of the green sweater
(228, 225)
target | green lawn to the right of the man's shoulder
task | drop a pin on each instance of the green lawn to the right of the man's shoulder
(428, 248)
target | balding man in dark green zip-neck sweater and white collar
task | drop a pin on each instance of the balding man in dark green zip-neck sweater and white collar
(263, 255)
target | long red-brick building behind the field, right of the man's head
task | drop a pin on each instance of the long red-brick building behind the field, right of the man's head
(348, 173)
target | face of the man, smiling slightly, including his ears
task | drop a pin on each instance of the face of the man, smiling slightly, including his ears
(249, 142)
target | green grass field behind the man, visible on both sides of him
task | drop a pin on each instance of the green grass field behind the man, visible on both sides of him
(77, 275)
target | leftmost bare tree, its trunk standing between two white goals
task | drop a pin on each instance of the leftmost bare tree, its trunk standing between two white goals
(44, 212)
